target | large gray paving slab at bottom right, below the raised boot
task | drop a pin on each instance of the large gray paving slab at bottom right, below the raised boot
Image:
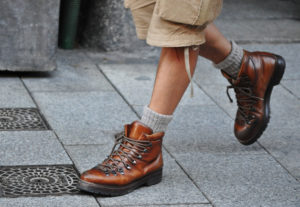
(247, 180)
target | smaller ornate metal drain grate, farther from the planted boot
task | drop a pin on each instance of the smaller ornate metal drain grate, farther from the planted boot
(21, 119)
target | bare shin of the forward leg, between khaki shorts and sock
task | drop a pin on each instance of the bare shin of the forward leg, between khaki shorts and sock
(171, 79)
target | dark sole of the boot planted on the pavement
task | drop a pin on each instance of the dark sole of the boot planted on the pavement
(113, 190)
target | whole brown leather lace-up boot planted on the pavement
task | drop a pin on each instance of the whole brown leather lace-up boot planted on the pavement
(135, 160)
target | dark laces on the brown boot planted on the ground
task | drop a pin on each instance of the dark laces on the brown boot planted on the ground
(134, 147)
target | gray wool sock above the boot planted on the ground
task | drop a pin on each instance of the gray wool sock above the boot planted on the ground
(157, 122)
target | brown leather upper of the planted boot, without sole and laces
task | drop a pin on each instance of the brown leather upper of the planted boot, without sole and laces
(150, 161)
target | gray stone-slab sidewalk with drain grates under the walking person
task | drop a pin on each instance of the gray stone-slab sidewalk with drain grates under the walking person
(55, 125)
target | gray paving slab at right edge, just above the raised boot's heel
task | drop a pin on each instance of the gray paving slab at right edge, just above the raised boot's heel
(262, 31)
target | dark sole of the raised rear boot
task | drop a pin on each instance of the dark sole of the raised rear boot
(275, 80)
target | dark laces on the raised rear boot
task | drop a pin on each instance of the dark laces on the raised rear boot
(245, 98)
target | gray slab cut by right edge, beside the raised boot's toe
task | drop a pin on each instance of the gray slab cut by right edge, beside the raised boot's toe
(284, 145)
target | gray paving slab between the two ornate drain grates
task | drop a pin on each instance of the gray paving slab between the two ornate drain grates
(31, 148)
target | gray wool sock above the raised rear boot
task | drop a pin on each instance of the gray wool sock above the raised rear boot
(232, 63)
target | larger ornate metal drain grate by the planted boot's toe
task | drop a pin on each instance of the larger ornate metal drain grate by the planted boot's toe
(37, 180)
